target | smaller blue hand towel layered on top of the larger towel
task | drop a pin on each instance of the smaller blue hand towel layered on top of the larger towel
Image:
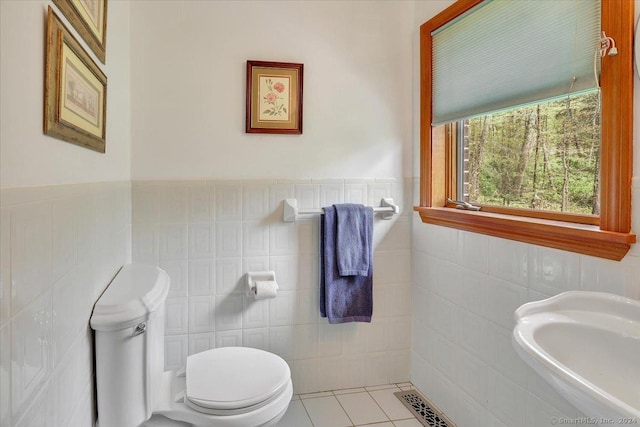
(353, 238)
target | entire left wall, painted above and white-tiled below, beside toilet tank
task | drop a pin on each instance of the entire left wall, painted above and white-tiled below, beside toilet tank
(63, 232)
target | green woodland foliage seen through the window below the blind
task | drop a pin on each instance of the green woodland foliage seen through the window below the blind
(543, 156)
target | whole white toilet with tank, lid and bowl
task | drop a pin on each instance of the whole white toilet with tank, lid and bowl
(224, 387)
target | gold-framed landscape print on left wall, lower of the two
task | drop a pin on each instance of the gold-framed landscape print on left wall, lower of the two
(75, 90)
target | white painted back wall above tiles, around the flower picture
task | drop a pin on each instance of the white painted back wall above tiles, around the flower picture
(188, 88)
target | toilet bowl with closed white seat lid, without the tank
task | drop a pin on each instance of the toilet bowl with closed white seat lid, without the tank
(227, 387)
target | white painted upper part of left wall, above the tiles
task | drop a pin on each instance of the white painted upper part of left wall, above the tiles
(27, 156)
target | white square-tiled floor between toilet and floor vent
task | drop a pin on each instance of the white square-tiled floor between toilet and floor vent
(362, 407)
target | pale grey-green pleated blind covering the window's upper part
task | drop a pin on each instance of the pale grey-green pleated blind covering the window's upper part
(507, 53)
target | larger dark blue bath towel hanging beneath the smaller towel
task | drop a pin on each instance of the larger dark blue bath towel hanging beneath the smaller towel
(342, 298)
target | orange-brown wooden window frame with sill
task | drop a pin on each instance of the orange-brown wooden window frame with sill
(607, 236)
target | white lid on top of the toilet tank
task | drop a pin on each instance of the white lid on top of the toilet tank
(134, 292)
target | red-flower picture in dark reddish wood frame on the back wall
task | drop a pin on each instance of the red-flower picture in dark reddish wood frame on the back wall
(274, 97)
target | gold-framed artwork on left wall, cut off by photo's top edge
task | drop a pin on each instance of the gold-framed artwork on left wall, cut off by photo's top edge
(89, 18)
